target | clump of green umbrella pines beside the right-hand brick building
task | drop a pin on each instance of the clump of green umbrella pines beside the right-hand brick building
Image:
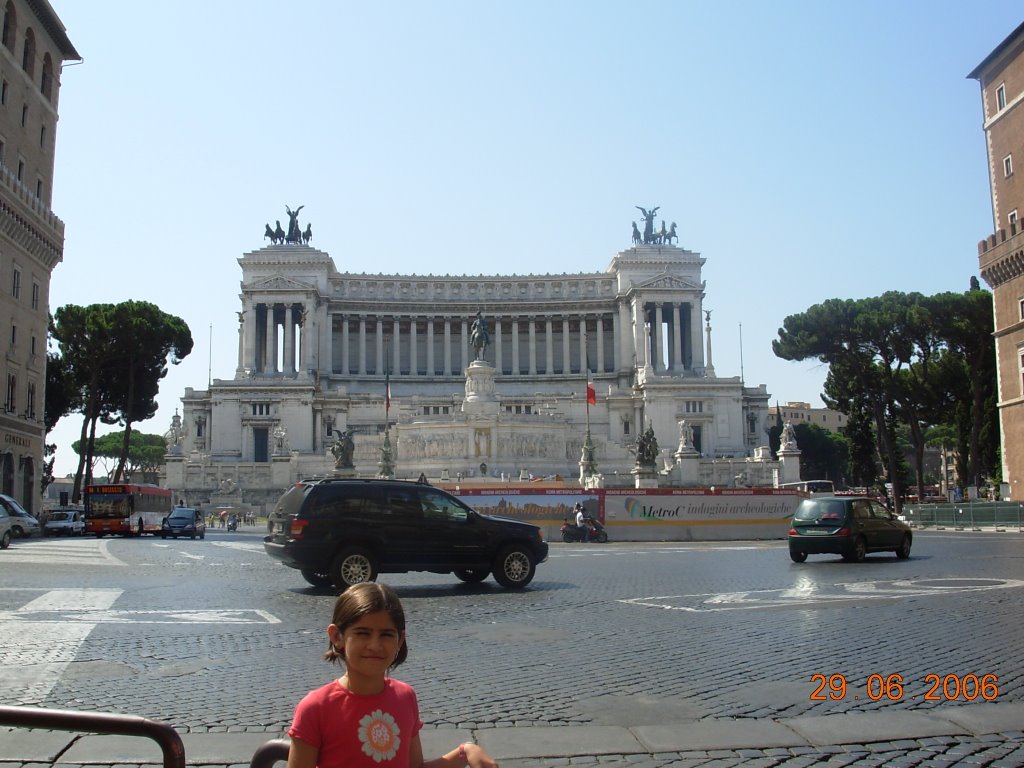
(913, 363)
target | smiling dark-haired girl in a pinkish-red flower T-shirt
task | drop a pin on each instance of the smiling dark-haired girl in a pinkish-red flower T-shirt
(367, 719)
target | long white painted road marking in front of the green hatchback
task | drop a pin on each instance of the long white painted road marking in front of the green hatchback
(804, 596)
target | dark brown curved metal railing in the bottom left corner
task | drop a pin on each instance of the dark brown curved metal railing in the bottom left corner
(100, 722)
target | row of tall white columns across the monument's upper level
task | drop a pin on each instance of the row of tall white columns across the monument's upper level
(277, 337)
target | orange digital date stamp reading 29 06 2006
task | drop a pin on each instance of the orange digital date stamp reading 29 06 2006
(893, 689)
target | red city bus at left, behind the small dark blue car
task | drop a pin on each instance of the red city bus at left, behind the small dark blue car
(125, 509)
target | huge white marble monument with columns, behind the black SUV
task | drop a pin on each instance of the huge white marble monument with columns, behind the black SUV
(324, 354)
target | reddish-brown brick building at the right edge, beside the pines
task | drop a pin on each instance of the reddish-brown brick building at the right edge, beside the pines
(1001, 255)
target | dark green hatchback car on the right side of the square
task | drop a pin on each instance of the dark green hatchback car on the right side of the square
(846, 526)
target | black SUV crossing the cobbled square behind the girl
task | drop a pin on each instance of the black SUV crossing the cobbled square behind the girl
(346, 532)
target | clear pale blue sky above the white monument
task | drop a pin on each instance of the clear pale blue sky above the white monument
(806, 150)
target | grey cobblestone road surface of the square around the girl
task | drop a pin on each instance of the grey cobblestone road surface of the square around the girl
(666, 645)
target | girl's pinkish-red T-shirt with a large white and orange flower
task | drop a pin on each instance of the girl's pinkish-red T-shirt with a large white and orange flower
(353, 732)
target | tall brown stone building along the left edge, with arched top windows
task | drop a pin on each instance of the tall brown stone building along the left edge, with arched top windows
(33, 47)
